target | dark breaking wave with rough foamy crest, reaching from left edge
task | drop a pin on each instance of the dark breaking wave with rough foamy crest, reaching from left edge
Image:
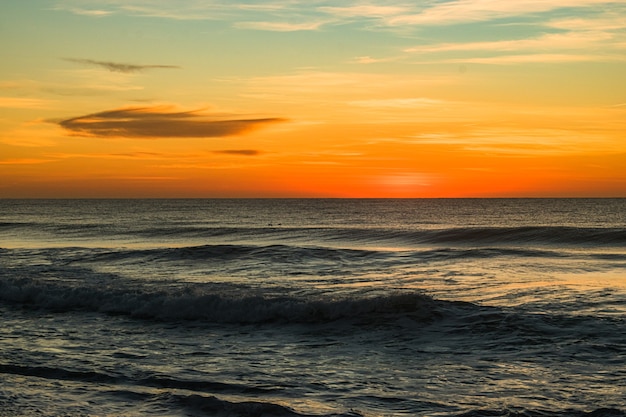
(211, 303)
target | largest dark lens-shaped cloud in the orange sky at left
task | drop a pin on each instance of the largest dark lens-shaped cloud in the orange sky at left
(160, 122)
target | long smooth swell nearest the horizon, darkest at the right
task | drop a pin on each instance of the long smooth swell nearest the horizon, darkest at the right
(409, 235)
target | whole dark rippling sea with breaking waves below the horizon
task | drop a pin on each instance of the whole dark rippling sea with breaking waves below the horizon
(505, 307)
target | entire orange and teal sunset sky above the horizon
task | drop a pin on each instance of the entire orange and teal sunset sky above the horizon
(312, 98)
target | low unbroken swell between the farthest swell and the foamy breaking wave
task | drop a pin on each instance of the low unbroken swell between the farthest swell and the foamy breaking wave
(300, 259)
